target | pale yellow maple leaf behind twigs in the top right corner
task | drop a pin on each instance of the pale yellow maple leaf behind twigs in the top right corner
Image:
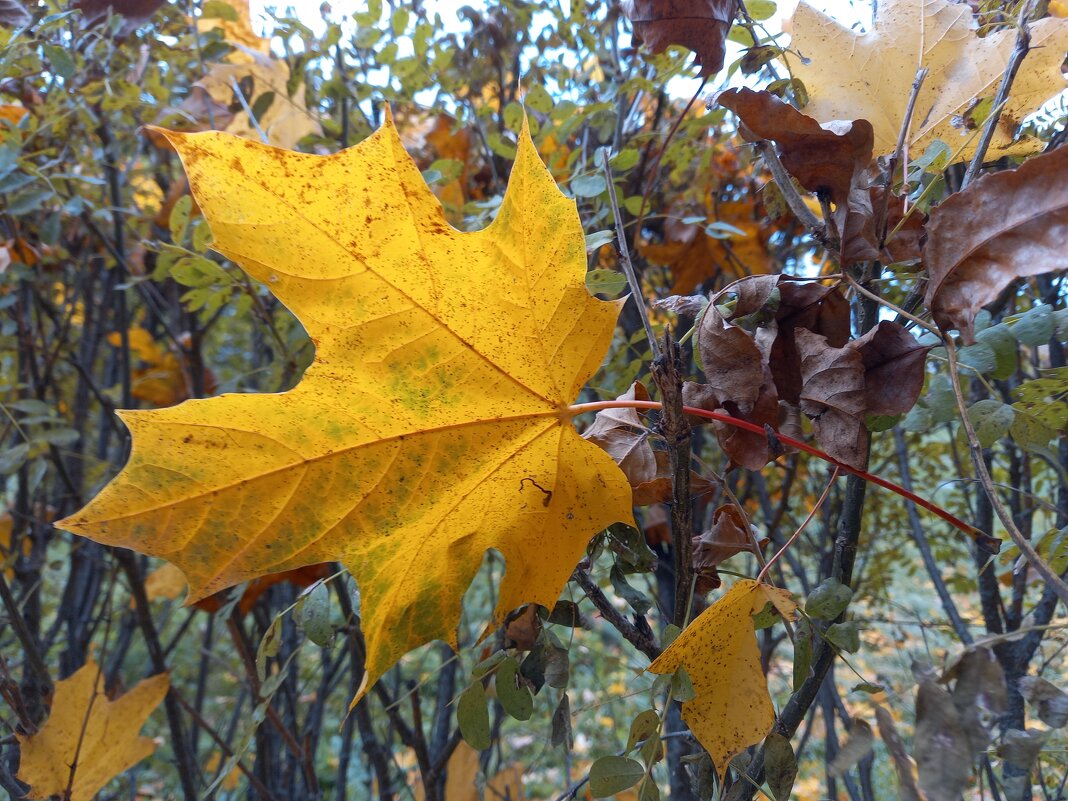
(853, 76)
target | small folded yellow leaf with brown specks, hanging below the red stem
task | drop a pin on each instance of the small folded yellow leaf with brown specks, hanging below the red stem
(732, 709)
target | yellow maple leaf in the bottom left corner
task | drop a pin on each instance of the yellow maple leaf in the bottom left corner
(106, 731)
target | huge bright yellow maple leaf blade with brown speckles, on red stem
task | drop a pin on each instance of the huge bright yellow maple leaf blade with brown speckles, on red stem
(433, 425)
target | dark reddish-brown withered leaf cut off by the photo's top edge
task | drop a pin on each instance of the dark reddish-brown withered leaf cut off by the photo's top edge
(701, 26)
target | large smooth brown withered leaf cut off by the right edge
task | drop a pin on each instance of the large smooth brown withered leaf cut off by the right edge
(1007, 226)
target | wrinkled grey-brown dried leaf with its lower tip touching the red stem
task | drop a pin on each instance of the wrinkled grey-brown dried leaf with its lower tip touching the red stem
(834, 398)
